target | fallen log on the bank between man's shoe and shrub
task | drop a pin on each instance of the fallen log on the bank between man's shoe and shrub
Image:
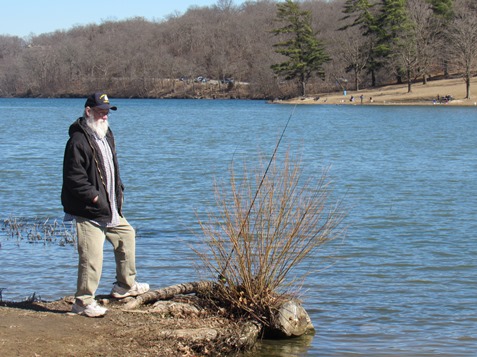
(169, 292)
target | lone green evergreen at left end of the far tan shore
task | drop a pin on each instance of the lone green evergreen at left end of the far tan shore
(306, 54)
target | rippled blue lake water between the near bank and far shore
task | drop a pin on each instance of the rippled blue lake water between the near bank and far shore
(403, 282)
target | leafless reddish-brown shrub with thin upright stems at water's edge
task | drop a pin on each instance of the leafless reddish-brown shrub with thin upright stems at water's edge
(265, 227)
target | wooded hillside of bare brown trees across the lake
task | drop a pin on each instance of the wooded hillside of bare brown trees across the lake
(227, 50)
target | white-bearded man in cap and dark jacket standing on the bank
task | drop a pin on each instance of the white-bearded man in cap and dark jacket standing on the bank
(92, 194)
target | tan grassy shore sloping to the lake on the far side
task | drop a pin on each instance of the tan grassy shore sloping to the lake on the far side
(397, 95)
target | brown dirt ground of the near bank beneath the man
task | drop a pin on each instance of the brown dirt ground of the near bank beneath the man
(39, 329)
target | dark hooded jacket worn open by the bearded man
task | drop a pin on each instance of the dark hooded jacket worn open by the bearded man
(84, 174)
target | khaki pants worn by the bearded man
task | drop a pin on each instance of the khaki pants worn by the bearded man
(90, 248)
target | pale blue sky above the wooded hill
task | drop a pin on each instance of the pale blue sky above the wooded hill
(34, 17)
